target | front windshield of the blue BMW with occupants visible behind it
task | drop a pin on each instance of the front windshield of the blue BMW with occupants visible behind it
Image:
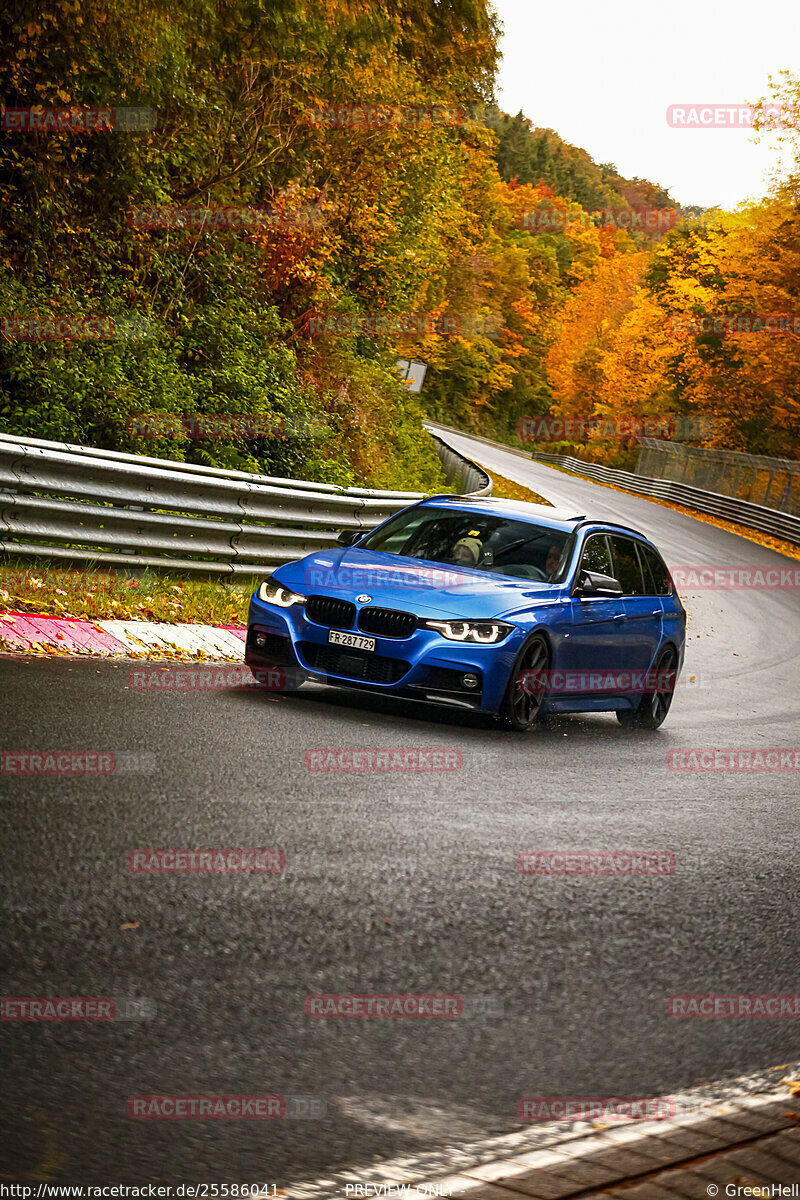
(478, 541)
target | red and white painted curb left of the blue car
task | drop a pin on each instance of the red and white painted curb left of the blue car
(29, 633)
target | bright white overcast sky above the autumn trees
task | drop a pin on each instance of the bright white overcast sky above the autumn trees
(603, 76)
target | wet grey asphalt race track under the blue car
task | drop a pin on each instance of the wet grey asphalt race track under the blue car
(395, 884)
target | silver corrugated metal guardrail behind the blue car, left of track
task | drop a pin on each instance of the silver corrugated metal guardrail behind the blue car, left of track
(81, 505)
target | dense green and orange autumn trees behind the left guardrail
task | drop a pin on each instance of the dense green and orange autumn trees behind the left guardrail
(222, 311)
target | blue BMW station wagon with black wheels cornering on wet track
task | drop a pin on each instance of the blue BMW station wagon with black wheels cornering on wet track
(509, 609)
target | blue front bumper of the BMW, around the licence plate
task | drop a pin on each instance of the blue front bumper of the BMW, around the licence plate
(424, 667)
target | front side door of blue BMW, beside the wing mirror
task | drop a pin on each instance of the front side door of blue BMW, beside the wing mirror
(597, 622)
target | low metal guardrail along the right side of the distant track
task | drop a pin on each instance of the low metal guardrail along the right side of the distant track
(727, 508)
